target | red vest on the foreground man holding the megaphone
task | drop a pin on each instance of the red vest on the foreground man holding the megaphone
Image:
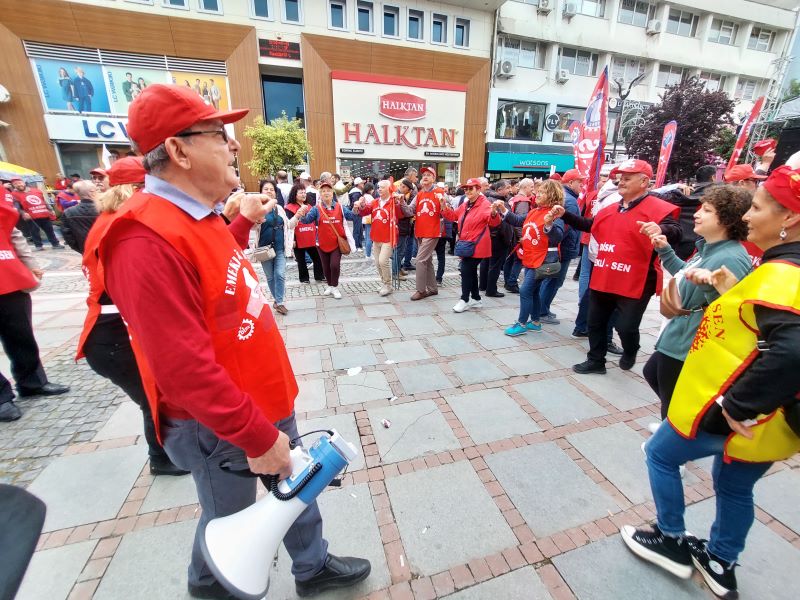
(246, 339)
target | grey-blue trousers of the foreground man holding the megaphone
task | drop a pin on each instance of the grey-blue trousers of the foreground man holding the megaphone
(193, 447)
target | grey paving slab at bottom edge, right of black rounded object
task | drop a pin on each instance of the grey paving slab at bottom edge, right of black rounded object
(52, 573)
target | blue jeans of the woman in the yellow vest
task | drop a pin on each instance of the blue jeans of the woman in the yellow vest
(733, 484)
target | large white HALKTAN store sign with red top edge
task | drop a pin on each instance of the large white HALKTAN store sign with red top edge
(381, 117)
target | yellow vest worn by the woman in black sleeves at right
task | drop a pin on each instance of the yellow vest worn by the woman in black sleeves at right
(724, 346)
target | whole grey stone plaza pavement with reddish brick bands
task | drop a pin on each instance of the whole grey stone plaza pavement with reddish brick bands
(502, 475)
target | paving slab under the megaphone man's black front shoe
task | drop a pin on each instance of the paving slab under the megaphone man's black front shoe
(352, 530)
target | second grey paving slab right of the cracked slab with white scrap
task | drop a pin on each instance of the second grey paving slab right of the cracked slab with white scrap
(559, 401)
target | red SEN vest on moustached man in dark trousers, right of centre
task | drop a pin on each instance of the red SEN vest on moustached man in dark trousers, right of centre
(624, 254)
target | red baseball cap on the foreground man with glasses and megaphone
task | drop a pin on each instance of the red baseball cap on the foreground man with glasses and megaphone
(161, 111)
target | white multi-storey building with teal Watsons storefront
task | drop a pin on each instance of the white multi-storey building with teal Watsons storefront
(549, 54)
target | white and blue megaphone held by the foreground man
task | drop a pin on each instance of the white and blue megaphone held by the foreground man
(239, 548)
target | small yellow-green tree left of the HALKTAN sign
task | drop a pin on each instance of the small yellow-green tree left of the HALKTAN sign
(280, 145)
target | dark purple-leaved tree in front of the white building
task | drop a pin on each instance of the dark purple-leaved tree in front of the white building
(700, 115)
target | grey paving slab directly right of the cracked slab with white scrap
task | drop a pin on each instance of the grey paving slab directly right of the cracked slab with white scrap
(507, 418)
